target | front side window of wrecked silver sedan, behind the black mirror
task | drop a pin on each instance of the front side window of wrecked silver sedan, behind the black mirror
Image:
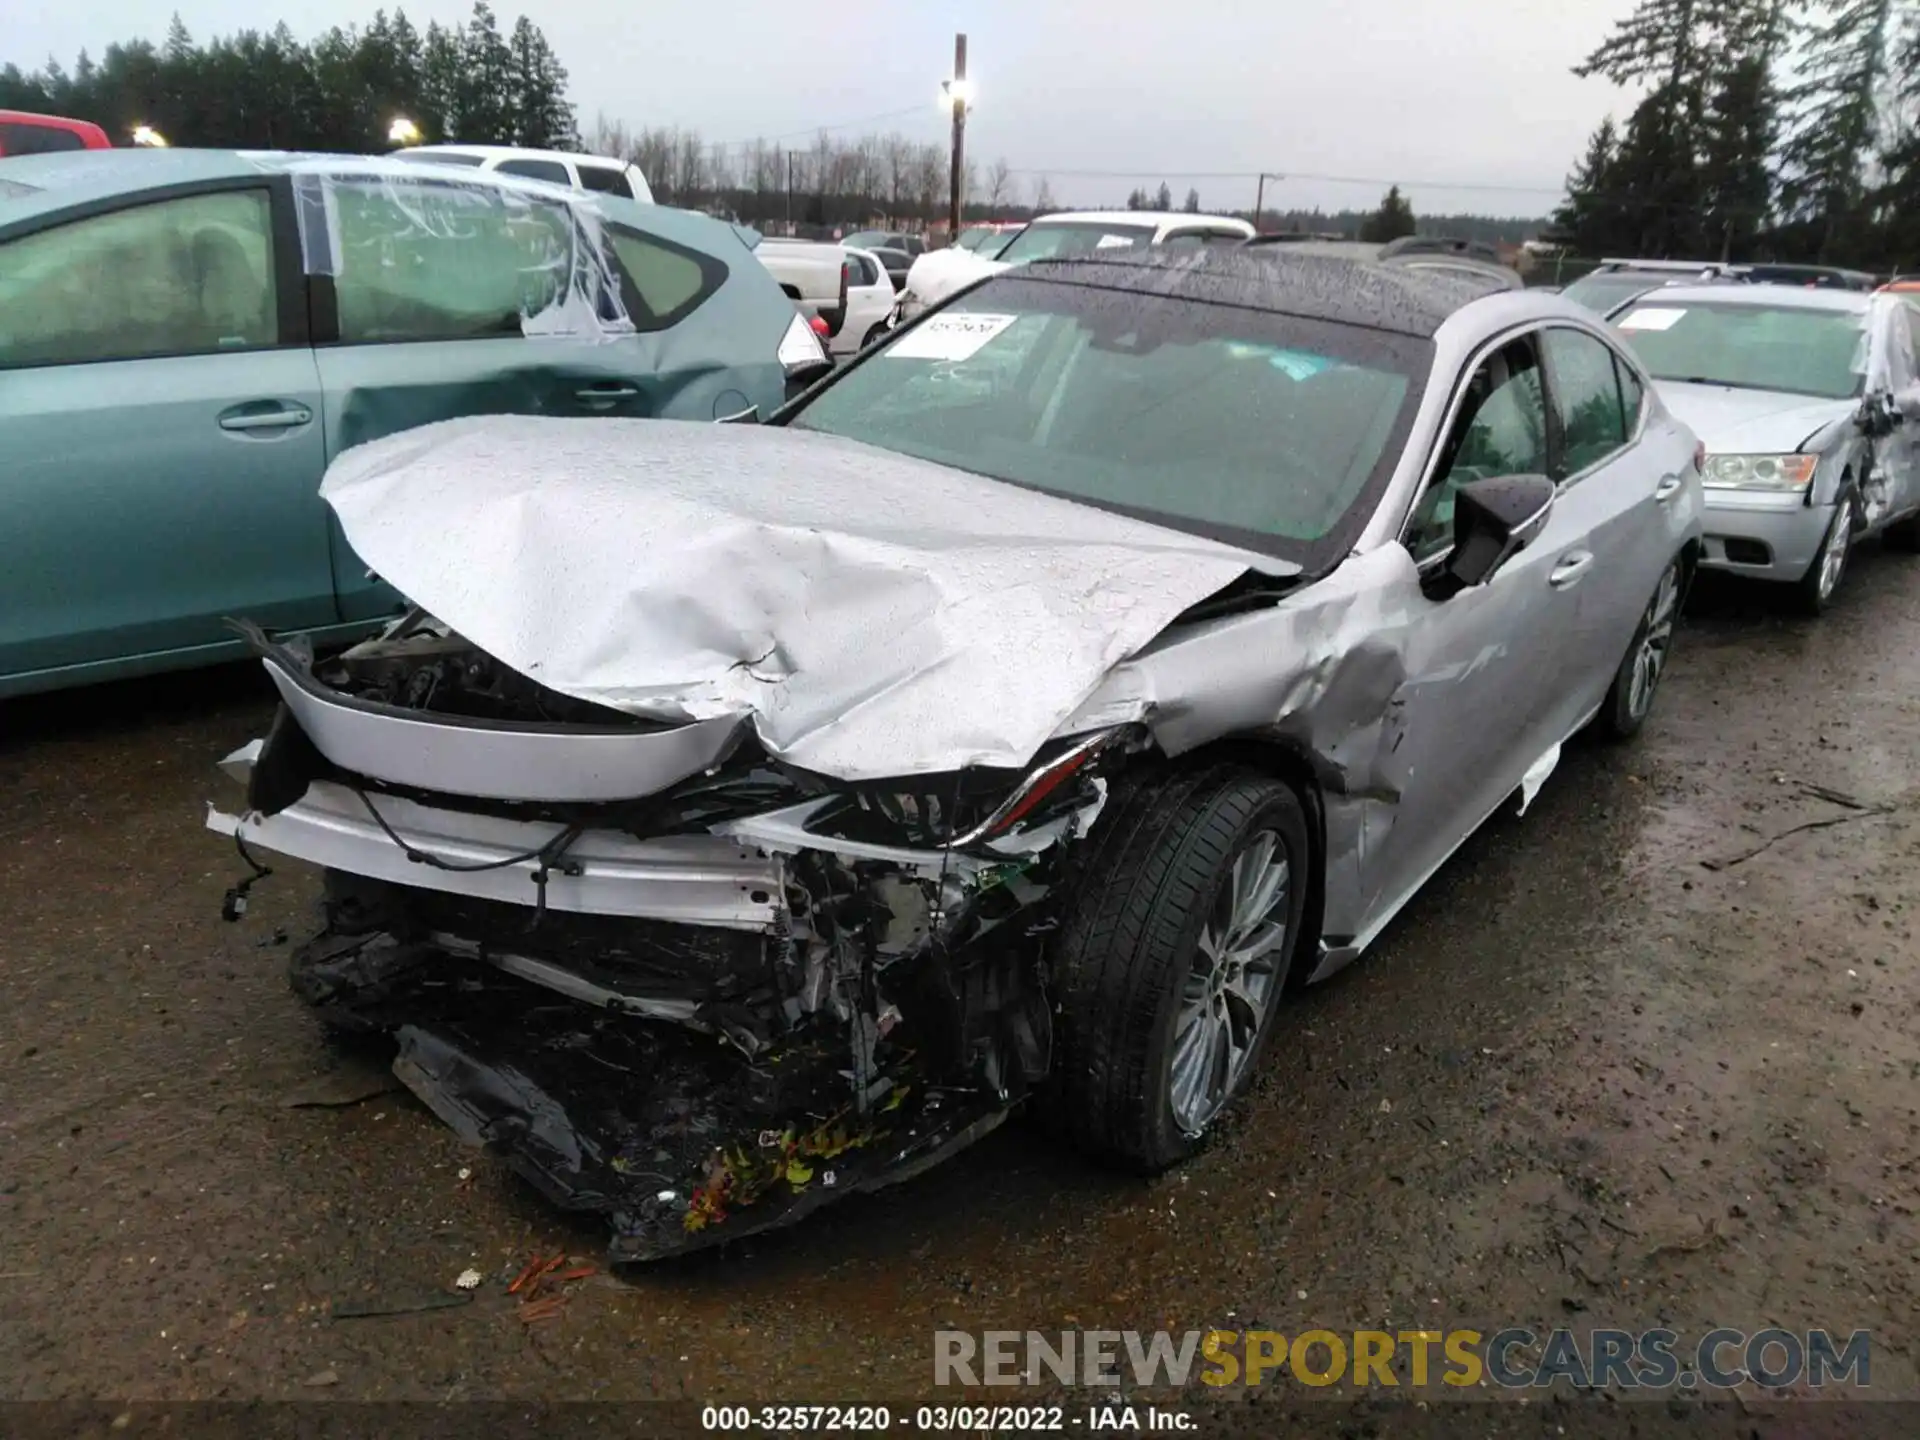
(1502, 429)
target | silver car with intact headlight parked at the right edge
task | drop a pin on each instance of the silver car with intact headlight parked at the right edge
(1806, 404)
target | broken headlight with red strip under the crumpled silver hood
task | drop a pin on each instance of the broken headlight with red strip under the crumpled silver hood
(971, 807)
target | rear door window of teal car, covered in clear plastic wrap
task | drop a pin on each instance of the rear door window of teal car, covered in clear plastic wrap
(491, 249)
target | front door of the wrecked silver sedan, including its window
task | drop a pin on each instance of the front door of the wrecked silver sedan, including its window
(1487, 663)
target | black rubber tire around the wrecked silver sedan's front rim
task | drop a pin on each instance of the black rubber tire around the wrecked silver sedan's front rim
(1147, 884)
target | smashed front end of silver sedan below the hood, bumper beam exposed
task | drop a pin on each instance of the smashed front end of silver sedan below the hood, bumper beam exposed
(700, 1011)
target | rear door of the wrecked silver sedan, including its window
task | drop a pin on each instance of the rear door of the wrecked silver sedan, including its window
(1616, 492)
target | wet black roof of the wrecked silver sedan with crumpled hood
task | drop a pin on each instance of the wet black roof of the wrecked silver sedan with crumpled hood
(1310, 287)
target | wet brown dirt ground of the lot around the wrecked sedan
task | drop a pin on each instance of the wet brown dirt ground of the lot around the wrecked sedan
(1646, 1057)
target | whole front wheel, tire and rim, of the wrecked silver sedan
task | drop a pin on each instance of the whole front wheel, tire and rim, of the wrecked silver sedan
(1178, 940)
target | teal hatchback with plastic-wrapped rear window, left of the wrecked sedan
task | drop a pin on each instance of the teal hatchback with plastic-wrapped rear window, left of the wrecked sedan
(189, 339)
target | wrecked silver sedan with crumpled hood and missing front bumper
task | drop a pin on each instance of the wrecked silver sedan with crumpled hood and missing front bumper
(757, 813)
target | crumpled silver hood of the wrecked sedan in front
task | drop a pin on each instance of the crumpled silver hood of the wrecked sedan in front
(875, 615)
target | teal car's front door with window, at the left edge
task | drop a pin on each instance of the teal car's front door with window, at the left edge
(160, 435)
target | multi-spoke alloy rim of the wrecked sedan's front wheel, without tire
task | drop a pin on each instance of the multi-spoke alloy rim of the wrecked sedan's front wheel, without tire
(1232, 986)
